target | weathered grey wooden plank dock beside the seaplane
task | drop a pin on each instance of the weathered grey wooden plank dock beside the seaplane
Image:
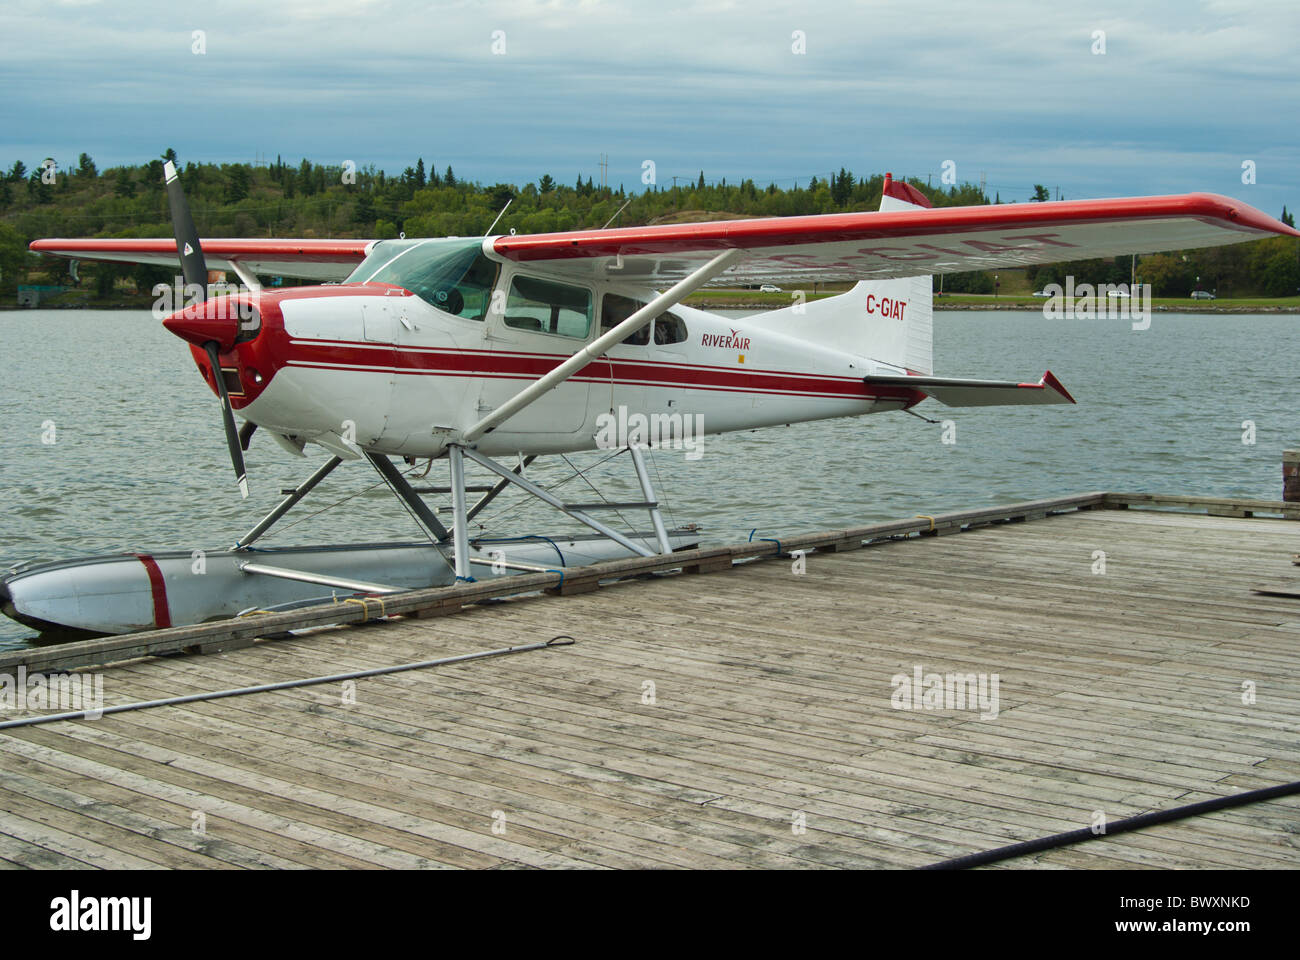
(738, 720)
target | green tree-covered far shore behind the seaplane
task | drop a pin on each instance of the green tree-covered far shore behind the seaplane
(310, 200)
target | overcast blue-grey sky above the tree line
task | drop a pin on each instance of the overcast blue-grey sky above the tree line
(1185, 93)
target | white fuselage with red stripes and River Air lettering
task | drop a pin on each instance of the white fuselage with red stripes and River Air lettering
(379, 366)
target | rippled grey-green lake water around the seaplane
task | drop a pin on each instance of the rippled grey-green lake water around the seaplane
(140, 459)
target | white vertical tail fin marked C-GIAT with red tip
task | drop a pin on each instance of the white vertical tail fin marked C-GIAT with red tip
(885, 321)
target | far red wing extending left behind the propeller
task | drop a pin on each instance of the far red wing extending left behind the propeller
(302, 260)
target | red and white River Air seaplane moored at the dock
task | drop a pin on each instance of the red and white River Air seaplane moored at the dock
(487, 353)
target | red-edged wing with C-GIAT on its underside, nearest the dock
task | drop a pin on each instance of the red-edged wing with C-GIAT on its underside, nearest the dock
(900, 243)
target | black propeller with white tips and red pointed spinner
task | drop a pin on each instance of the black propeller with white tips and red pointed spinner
(196, 273)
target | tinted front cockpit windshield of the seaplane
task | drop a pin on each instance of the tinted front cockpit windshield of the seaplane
(452, 274)
